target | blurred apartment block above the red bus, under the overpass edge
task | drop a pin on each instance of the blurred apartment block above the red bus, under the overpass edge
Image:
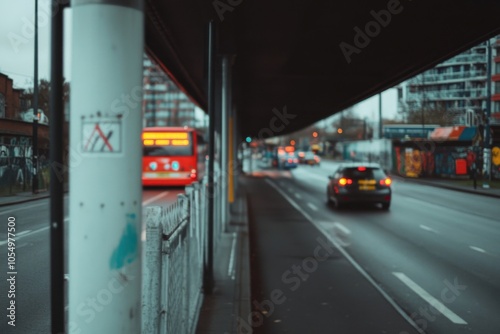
(164, 104)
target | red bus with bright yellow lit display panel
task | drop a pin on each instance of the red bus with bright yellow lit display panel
(170, 156)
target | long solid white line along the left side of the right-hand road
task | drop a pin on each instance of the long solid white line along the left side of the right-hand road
(353, 262)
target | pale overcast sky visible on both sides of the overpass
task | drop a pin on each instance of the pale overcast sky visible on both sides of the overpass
(17, 50)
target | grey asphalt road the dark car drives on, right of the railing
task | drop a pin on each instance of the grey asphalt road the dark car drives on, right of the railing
(433, 258)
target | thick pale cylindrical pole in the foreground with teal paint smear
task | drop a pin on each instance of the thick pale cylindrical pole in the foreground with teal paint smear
(105, 156)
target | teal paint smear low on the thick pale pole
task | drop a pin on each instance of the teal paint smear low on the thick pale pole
(126, 251)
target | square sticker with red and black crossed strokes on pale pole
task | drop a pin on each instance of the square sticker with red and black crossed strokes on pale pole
(102, 136)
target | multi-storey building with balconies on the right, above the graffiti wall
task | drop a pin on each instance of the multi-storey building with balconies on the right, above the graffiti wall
(457, 87)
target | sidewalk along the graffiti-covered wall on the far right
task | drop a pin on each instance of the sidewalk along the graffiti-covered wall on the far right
(456, 184)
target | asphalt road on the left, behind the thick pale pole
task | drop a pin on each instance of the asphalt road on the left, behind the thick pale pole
(32, 295)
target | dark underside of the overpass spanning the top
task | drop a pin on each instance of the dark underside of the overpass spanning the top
(297, 62)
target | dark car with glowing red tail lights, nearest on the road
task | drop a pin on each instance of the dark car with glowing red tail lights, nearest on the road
(359, 183)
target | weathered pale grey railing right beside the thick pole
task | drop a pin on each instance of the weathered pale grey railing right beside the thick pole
(175, 249)
